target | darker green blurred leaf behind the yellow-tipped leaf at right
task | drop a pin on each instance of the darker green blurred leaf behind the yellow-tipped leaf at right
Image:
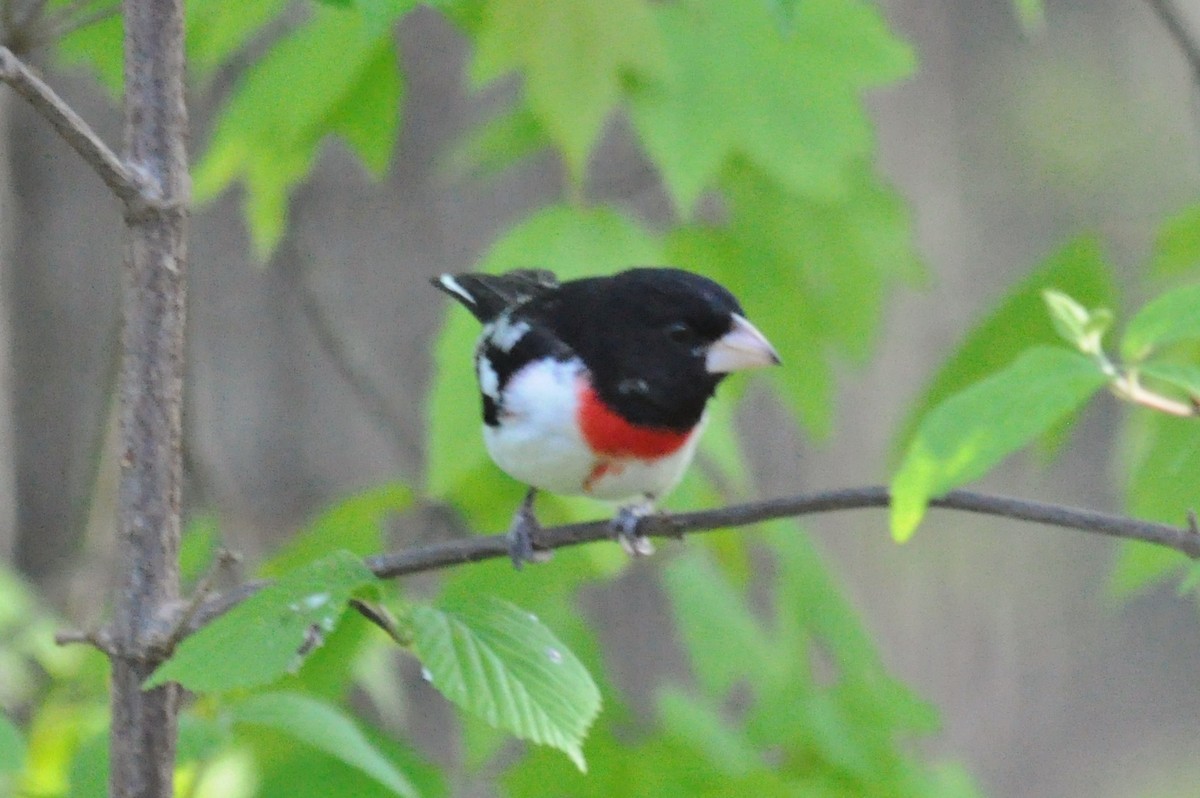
(1018, 323)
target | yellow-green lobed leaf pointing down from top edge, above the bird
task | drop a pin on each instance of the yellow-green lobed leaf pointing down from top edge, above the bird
(575, 56)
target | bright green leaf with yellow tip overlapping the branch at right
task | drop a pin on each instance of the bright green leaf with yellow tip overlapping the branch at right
(968, 435)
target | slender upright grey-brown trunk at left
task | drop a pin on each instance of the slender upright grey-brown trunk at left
(145, 724)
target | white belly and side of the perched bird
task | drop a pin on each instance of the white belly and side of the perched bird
(538, 442)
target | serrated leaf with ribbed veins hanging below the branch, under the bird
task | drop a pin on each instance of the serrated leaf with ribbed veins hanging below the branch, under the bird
(499, 662)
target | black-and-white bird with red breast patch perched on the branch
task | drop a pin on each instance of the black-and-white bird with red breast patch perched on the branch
(598, 387)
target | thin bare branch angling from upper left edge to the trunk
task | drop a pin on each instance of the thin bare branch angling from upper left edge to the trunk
(74, 130)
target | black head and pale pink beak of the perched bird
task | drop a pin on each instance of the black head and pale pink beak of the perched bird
(649, 338)
